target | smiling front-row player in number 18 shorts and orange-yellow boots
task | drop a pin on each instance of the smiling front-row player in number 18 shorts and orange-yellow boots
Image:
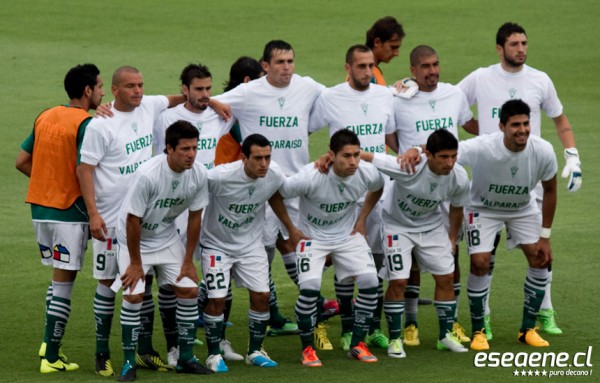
(506, 166)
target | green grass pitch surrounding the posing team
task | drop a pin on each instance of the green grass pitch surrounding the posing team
(41, 39)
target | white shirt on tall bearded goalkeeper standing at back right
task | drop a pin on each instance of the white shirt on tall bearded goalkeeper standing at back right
(491, 87)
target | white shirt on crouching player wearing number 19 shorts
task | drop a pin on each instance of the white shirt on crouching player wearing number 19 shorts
(413, 203)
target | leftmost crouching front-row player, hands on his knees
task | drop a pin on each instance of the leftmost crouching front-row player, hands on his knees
(147, 237)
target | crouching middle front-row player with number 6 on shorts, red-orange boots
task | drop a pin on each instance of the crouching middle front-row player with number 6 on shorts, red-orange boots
(330, 219)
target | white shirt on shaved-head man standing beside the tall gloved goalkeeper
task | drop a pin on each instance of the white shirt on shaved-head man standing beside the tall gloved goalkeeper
(416, 118)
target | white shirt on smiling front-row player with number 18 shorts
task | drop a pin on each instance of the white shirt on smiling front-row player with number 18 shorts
(503, 180)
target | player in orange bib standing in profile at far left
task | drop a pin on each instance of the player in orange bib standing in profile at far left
(49, 158)
